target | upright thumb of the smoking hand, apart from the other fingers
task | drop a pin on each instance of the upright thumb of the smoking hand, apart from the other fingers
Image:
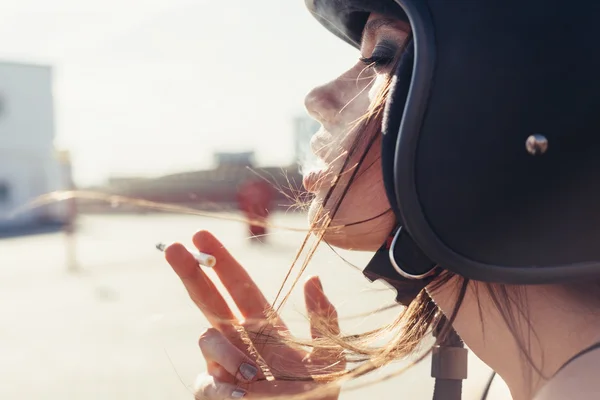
(323, 315)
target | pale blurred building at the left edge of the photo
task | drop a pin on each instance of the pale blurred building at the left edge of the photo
(30, 166)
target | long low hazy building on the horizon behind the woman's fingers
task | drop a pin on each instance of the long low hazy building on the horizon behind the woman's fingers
(218, 188)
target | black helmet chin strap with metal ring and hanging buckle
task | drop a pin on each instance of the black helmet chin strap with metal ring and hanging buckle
(400, 263)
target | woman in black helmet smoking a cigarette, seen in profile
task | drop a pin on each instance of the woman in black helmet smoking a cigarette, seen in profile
(468, 130)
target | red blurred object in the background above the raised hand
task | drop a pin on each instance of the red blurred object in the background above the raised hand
(254, 199)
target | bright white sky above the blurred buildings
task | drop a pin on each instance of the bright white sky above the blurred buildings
(146, 87)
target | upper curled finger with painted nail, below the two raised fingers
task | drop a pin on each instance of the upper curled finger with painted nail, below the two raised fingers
(217, 348)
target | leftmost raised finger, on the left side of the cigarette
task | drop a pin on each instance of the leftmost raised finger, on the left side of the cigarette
(200, 288)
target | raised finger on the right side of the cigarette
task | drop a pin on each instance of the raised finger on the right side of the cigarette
(244, 291)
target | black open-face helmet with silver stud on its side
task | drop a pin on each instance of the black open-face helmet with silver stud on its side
(491, 145)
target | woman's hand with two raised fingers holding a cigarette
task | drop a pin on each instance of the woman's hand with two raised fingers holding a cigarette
(234, 371)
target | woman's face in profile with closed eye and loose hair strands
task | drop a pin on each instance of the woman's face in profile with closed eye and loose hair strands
(338, 105)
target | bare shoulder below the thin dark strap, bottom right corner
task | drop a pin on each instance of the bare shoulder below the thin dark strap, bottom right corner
(580, 380)
